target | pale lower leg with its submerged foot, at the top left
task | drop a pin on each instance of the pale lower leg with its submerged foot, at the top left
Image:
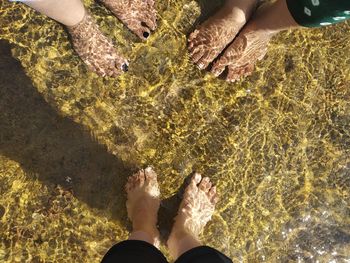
(93, 47)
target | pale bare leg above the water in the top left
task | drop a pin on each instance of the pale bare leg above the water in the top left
(67, 12)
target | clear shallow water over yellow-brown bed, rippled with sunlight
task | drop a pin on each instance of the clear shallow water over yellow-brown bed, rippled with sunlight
(276, 144)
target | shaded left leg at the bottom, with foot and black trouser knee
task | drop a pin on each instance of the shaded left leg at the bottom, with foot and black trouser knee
(142, 206)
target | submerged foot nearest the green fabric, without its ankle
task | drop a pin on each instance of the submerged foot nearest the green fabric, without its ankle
(241, 56)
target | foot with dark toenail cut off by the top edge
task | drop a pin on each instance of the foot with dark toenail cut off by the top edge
(139, 16)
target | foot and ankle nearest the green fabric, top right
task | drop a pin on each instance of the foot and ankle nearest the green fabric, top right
(251, 43)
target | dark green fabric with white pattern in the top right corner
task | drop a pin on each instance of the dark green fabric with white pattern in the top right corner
(317, 13)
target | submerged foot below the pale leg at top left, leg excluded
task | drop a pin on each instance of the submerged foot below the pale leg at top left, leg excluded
(95, 49)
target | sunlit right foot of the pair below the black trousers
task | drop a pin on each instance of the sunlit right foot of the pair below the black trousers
(196, 209)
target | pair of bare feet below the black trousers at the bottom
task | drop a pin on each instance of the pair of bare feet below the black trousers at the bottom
(195, 211)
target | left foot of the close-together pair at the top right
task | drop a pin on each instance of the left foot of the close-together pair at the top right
(211, 38)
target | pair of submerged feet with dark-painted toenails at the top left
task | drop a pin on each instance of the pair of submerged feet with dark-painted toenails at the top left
(97, 50)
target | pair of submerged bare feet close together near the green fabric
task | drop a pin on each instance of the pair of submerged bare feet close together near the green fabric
(230, 40)
